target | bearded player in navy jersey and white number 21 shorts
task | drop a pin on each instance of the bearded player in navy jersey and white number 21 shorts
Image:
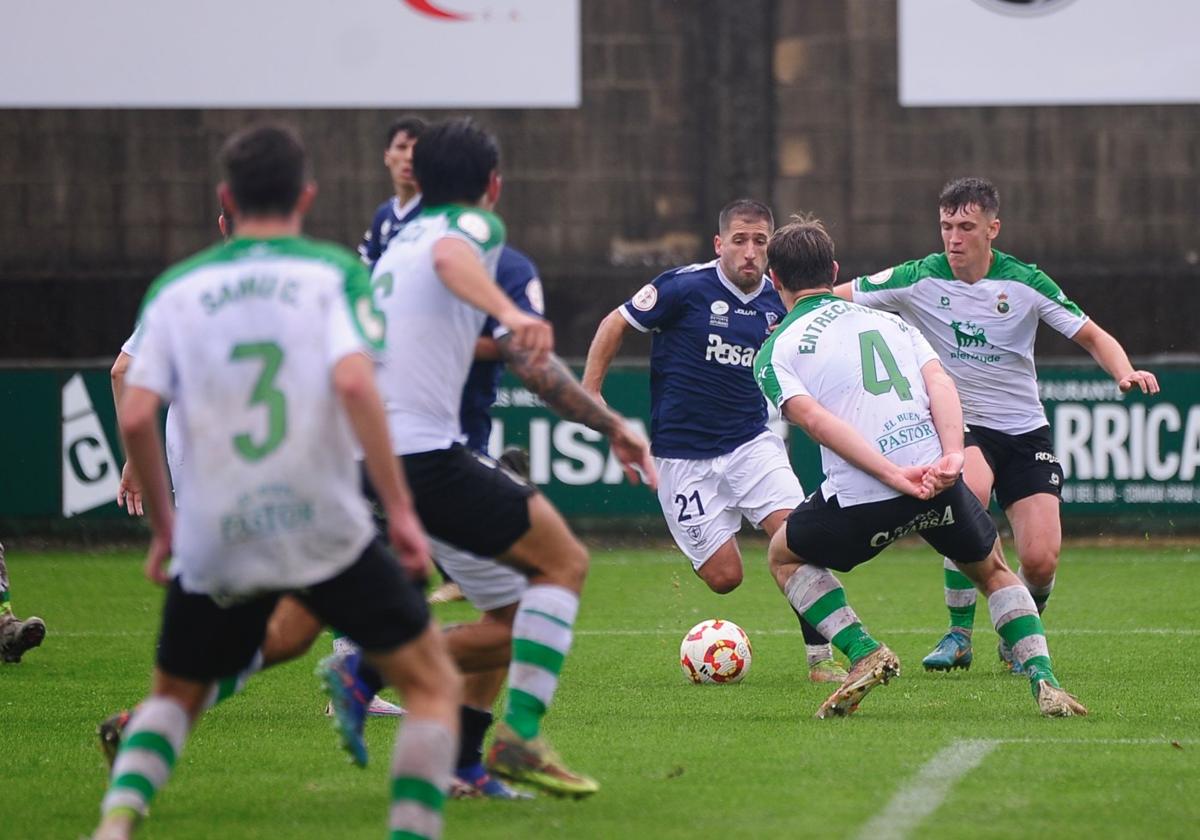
(716, 457)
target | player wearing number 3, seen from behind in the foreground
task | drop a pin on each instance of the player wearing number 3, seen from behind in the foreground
(262, 347)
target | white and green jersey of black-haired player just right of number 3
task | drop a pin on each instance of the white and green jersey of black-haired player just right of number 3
(431, 333)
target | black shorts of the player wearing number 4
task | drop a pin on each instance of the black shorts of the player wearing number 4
(953, 523)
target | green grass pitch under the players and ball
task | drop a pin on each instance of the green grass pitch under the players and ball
(928, 757)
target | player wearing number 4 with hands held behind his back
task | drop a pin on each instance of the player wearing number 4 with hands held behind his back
(869, 389)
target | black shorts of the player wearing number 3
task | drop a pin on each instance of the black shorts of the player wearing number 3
(373, 603)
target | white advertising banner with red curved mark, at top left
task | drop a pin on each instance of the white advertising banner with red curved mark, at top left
(295, 55)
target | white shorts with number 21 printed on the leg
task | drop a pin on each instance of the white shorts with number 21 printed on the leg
(704, 501)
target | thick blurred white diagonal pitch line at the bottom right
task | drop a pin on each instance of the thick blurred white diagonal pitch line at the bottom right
(926, 793)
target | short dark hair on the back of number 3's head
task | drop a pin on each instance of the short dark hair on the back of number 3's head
(266, 169)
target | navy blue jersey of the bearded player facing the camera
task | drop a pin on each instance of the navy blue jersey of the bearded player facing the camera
(704, 399)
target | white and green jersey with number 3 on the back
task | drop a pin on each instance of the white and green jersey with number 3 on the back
(242, 341)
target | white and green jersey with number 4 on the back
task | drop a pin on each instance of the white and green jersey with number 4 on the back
(863, 367)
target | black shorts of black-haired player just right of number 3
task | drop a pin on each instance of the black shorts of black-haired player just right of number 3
(469, 500)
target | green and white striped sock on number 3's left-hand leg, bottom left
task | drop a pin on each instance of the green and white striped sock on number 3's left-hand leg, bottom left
(151, 746)
